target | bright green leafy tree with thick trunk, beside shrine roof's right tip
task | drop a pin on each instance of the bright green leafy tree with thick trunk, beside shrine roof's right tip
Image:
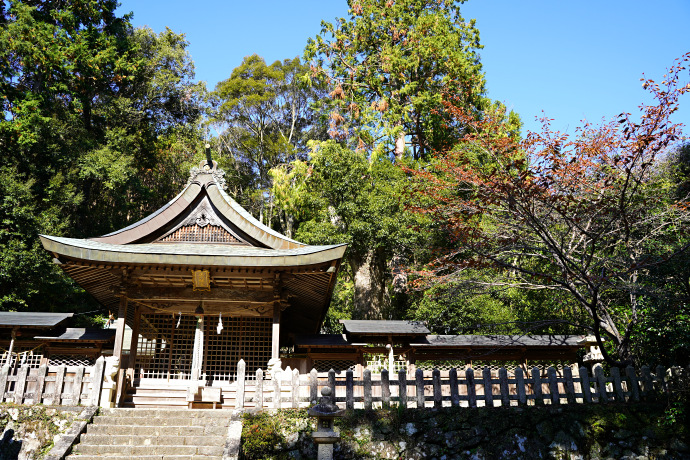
(340, 196)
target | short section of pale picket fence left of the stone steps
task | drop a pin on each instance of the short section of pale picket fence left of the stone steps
(54, 385)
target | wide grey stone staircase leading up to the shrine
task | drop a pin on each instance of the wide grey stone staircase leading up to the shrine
(161, 434)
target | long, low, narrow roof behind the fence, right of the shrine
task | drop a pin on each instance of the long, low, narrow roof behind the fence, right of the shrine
(458, 341)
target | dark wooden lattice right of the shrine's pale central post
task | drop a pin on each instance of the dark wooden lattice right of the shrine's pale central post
(241, 338)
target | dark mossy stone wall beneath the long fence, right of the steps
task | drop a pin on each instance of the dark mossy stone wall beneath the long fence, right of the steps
(617, 431)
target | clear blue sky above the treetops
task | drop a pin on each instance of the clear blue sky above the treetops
(572, 60)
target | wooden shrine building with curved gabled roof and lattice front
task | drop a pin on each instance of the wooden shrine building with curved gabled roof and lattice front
(201, 284)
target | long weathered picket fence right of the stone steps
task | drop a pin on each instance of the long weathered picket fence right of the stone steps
(468, 388)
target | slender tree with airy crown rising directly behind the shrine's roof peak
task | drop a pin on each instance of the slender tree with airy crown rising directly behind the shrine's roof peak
(264, 117)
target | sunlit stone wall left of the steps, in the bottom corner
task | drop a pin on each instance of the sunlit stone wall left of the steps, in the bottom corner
(28, 432)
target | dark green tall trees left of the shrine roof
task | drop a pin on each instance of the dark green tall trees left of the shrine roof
(91, 111)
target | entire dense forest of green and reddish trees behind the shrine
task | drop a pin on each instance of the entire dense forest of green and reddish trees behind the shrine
(380, 136)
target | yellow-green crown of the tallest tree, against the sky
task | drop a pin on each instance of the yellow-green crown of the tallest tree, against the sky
(388, 65)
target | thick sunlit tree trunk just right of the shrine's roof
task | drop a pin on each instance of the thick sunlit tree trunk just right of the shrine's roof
(370, 285)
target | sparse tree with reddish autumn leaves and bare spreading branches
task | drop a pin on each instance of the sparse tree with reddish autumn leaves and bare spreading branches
(587, 215)
